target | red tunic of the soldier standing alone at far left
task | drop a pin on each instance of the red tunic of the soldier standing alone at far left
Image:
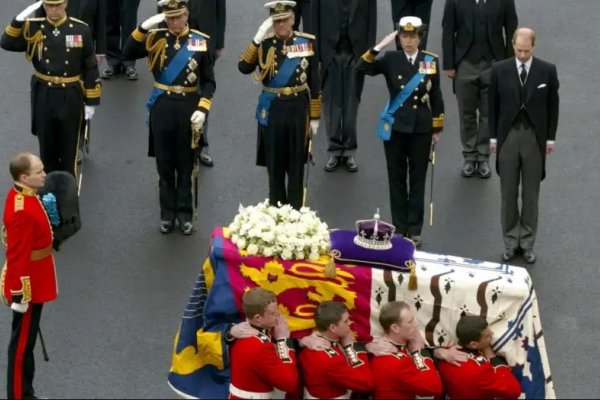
(29, 271)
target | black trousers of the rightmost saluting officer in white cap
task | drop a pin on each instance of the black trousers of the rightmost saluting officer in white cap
(407, 202)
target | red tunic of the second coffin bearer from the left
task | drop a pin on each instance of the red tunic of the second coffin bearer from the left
(331, 373)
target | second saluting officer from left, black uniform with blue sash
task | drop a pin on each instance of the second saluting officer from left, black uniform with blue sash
(184, 84)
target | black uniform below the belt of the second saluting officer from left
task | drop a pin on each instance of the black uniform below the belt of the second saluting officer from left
(172, 134)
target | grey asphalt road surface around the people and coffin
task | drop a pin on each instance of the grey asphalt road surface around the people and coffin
(123, 285)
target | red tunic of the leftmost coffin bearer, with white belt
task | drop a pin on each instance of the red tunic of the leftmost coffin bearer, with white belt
(259, 365)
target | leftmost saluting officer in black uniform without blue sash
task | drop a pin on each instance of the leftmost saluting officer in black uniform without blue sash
(65, 78)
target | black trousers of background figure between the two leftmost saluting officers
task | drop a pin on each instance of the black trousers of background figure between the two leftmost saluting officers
(121, 20)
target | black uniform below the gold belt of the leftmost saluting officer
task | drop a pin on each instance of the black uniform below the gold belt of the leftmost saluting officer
(57, 117)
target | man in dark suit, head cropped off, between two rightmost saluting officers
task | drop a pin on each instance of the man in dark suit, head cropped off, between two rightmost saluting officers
(345, 29)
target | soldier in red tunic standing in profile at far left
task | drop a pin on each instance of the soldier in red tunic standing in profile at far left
(29, 275)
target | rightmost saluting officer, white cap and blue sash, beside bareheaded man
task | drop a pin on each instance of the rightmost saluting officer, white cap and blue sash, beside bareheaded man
(412, 119)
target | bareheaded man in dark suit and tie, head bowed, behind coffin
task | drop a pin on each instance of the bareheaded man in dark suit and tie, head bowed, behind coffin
(523, 121)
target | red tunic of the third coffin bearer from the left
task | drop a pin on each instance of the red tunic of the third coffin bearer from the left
(402, 376)
